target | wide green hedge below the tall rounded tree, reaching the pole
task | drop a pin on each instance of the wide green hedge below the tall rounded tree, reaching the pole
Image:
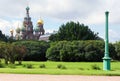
(78, 51)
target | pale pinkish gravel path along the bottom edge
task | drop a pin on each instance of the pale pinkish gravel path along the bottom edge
(31, 77)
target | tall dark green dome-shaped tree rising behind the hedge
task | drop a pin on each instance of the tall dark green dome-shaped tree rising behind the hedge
(74, 31)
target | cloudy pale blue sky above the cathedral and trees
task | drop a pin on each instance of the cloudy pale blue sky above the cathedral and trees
(56, 12)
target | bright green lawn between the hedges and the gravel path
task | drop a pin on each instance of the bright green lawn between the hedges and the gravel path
(70, 68)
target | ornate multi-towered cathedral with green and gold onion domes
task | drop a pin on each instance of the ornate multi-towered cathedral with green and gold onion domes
(27, 32)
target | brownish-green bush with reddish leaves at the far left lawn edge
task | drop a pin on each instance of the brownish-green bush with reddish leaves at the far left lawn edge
(10, 52)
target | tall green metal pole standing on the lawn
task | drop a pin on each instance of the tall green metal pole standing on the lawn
(106, 58)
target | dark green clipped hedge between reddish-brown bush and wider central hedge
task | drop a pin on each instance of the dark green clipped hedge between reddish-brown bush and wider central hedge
(36, 50)
